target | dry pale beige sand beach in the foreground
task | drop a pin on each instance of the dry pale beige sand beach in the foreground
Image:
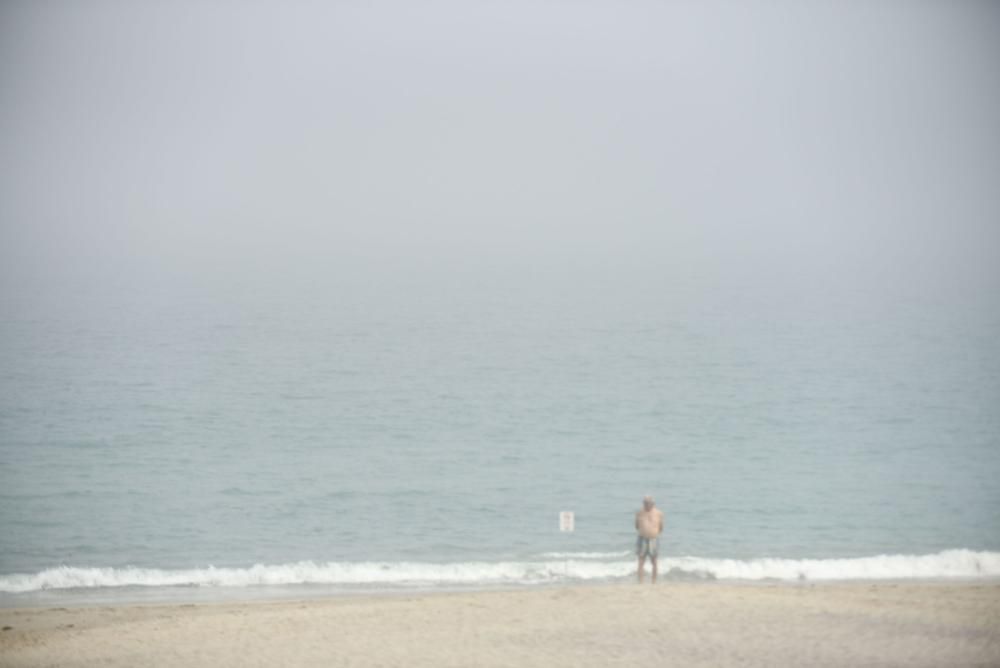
(669, 624)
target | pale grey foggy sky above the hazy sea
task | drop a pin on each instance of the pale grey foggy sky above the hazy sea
(144, 141)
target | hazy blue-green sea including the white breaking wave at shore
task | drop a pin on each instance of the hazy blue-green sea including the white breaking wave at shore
(432, 433)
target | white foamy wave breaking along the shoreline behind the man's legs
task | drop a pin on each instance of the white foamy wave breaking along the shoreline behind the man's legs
(582, 566)
